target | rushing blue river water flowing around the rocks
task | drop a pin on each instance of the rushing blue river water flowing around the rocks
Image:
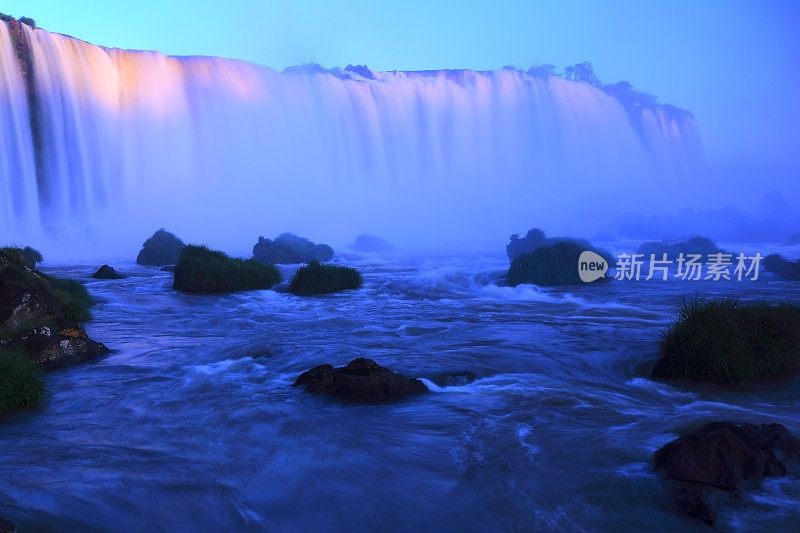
(191, 423)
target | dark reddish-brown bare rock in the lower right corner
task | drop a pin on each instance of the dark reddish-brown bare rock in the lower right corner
(722, 459)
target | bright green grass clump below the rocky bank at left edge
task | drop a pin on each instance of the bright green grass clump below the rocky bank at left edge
(22, 385)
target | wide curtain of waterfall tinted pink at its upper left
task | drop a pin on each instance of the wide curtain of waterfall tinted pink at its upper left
(120, 143)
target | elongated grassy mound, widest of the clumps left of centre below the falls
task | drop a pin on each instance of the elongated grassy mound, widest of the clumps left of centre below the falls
(204, 271)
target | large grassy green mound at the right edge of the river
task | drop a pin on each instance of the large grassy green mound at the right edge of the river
(729, 341)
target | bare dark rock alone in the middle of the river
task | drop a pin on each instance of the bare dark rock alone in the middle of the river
(361, 380)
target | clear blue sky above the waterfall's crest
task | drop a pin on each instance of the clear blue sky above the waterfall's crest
(734, 64)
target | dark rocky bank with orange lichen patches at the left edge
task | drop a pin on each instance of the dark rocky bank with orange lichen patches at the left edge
(39, 315)
